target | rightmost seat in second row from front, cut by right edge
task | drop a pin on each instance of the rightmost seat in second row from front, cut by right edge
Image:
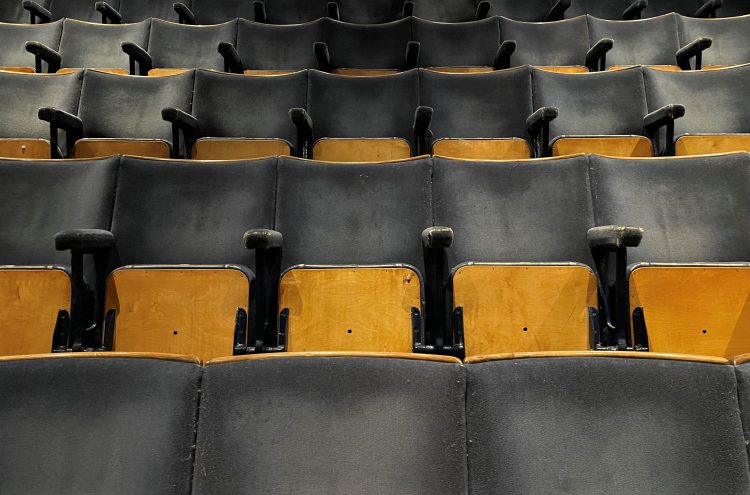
(690, 277)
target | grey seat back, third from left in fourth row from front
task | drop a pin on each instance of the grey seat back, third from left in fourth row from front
(186, 47)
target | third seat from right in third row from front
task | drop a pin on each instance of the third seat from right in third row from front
(473, 117)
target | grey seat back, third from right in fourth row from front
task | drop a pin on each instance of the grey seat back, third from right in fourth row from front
(550, 43)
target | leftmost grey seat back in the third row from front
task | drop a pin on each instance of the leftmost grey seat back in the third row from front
(24, 94)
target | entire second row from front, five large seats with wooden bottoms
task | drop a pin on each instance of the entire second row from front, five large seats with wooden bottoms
(344, 256)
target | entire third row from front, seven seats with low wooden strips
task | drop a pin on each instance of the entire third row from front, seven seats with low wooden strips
(511, 114)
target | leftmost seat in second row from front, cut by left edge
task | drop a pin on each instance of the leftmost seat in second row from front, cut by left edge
(44, 293)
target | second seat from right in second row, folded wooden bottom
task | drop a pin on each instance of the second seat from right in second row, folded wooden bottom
(521, 276)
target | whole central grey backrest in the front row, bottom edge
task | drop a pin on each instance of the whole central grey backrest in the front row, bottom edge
(332, 425)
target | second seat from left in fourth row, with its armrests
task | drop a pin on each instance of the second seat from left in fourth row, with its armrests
(85, 45)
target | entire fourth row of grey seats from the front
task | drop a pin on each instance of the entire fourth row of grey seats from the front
(576, 45)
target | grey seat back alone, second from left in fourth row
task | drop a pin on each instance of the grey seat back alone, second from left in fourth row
(87, 45)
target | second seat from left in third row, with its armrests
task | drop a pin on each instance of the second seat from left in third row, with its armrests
(121, 115)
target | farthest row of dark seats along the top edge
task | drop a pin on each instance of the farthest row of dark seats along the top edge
(369, 12)
